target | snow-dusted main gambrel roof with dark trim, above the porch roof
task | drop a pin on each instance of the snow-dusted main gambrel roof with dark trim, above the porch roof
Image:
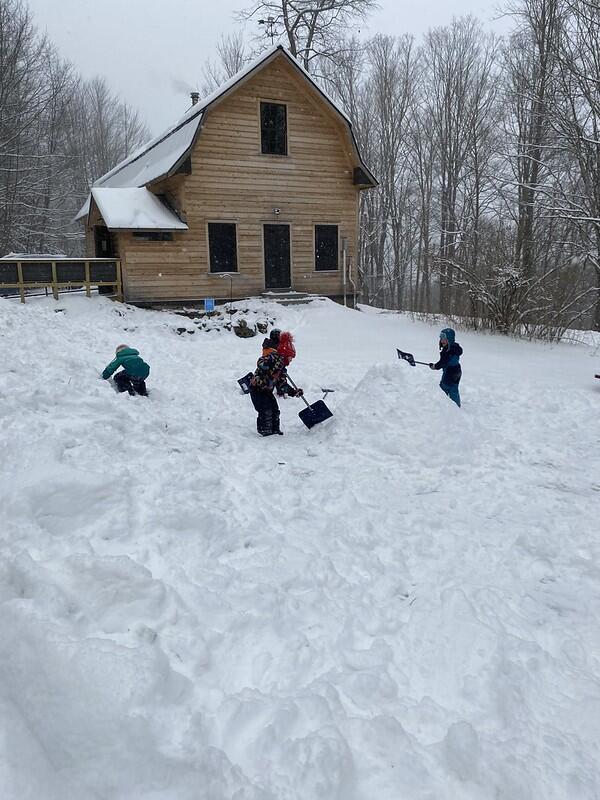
(164, 154)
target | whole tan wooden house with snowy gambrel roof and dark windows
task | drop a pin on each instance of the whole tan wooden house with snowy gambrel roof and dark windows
(258, 182)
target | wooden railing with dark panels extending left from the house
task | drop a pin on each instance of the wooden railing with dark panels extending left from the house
(60, 275)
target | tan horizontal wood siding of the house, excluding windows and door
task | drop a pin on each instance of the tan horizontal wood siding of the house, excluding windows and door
(231, 181)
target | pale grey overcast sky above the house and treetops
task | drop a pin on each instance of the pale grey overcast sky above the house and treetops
(149, 50)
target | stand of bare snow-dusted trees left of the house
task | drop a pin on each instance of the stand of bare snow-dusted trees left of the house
(57, 135)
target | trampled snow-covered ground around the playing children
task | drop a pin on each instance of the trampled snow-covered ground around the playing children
(401, 603)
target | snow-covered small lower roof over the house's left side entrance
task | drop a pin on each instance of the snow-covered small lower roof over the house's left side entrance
(135, 209)
